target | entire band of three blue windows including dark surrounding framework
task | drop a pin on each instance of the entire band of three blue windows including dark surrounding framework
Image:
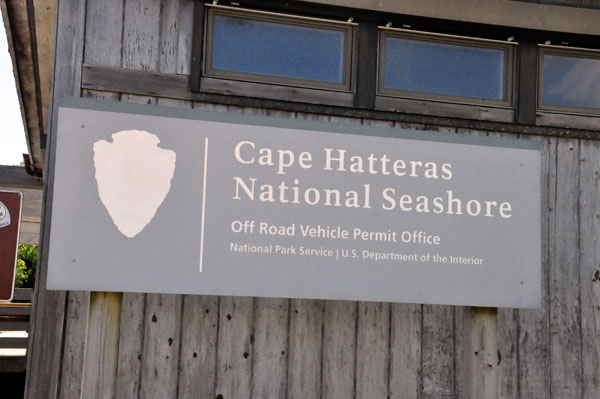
(305, 60)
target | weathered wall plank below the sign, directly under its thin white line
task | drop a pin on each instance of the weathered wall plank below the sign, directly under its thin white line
(198, 355)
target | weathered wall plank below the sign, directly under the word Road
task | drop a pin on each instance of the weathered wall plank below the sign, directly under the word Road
(270, 348)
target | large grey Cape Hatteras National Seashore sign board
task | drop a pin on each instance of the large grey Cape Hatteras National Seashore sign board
(152, 199)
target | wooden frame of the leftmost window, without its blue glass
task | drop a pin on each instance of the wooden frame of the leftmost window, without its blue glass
(250, 80)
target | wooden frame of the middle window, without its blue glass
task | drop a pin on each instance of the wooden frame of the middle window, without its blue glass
(510, 64)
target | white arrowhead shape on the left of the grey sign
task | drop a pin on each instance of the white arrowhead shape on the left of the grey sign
(134, 177)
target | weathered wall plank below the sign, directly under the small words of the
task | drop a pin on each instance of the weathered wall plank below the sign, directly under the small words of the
(437, 352)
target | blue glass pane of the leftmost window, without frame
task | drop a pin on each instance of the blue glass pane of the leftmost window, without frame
(276, 49)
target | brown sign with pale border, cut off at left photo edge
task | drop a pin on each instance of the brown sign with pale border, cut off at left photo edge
(10, 222)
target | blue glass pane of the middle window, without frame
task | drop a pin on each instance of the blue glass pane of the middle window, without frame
(441, 68)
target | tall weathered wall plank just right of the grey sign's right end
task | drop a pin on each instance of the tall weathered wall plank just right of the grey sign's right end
(565, 323)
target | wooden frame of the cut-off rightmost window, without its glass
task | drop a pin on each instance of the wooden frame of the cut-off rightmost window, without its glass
(565, 51)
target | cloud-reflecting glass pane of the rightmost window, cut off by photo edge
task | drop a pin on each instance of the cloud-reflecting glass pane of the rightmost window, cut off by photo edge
(571, 81)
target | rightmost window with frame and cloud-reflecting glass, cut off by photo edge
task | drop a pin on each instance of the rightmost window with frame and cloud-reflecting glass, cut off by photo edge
(569, 80)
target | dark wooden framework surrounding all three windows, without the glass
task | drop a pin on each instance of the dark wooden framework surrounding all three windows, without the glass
(520, 111)
